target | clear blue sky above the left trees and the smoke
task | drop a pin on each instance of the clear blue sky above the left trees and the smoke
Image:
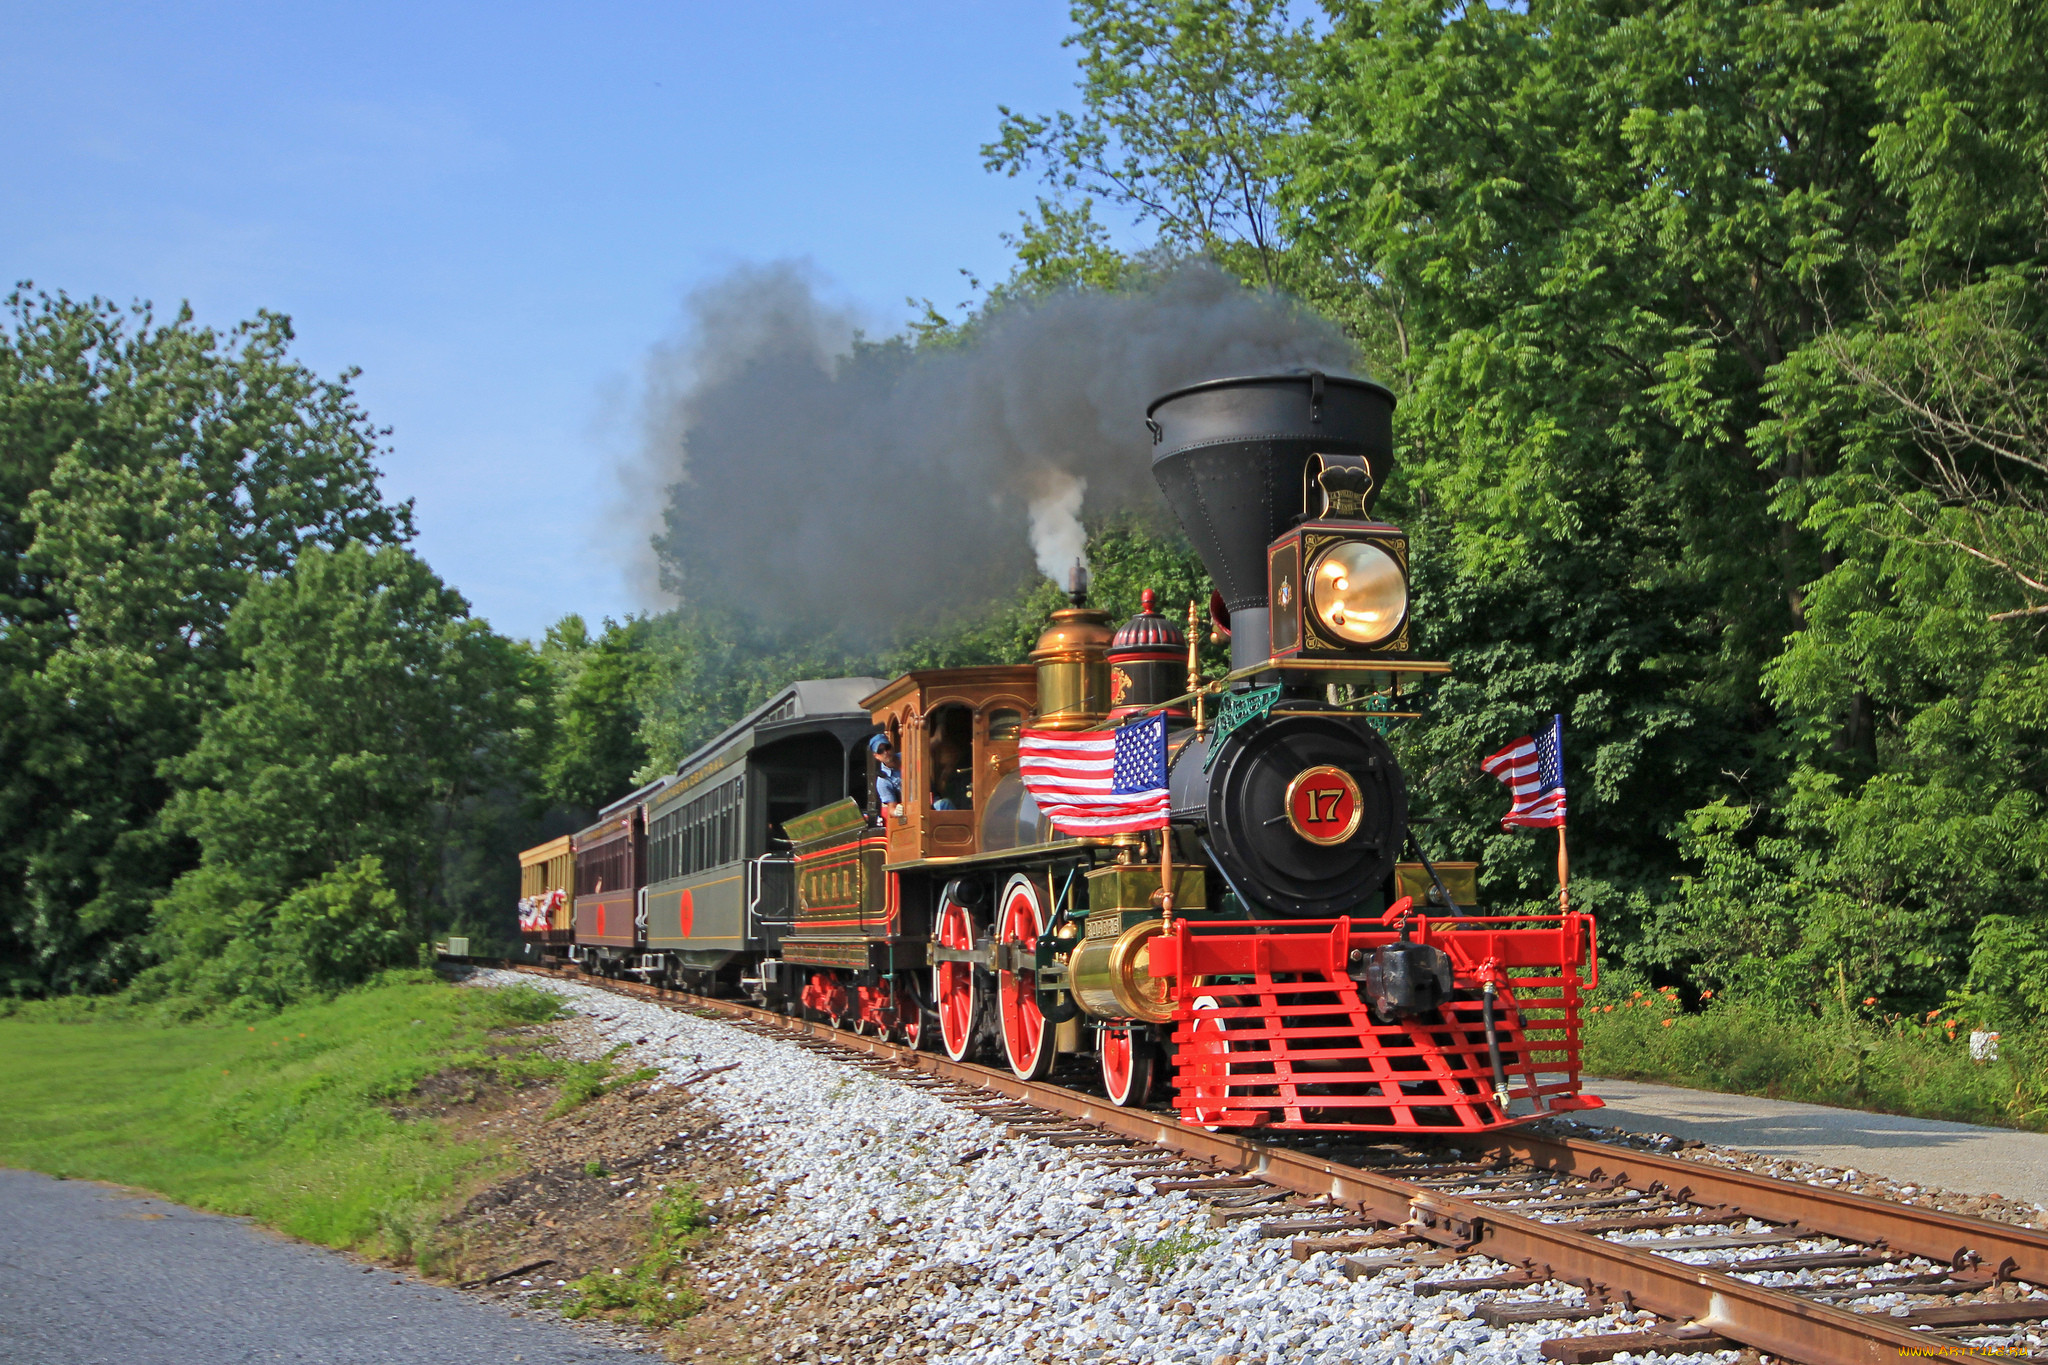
(497, 210)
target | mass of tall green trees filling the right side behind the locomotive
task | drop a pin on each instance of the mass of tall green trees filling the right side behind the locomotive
(1723, 431)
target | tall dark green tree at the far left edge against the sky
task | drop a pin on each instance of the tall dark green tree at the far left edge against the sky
(148, 476)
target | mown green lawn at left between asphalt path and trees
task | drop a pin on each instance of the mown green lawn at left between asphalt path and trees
(286, 1120)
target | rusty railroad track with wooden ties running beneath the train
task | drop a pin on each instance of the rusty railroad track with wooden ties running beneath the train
(1721, 1258)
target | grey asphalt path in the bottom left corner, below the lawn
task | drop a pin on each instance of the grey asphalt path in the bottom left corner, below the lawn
(97, 1276)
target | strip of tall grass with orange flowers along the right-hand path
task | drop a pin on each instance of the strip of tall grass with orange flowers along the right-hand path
(1836, 1057)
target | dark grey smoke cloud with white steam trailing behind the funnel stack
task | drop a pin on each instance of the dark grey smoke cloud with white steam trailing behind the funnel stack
(833, 484)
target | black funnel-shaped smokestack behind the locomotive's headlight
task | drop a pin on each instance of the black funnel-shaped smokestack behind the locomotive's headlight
(1230, 457)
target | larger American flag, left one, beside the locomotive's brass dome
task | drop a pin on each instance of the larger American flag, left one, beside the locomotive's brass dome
(1099, 783)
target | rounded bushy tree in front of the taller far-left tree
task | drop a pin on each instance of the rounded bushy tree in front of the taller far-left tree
(370, 713)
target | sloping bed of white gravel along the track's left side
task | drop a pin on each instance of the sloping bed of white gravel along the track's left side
(1142, 1278)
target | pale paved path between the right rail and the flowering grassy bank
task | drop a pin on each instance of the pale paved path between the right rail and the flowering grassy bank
(1963, 1157)
